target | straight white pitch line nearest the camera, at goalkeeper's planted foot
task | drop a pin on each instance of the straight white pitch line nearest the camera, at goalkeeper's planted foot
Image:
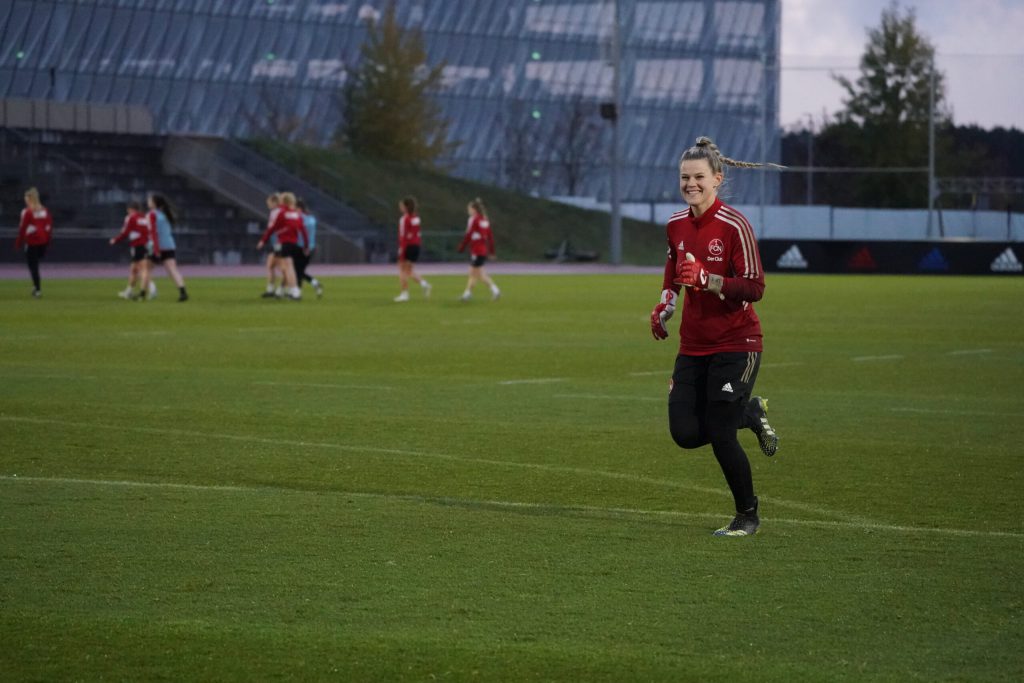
(514, 505)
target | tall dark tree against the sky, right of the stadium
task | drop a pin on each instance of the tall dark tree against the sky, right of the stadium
(885, 122)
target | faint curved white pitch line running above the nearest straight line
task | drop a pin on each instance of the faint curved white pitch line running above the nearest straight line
(563, 469)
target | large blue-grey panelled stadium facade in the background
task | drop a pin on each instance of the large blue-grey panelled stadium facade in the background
(521, 76)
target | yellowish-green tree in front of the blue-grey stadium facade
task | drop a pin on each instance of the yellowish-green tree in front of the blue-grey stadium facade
(390, 112)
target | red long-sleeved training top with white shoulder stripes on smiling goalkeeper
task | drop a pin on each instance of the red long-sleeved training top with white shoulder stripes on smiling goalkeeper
(723, 242)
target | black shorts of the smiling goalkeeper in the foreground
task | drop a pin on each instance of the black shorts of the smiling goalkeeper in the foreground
(726, 377)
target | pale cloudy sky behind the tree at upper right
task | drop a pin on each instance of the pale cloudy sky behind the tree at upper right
(979, 47)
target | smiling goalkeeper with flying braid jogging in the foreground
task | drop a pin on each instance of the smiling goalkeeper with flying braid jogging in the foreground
(713, 253)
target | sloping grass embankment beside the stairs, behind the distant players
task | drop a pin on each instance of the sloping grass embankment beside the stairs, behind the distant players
(526, 228)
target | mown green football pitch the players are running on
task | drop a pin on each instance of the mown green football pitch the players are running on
(353, 490)
